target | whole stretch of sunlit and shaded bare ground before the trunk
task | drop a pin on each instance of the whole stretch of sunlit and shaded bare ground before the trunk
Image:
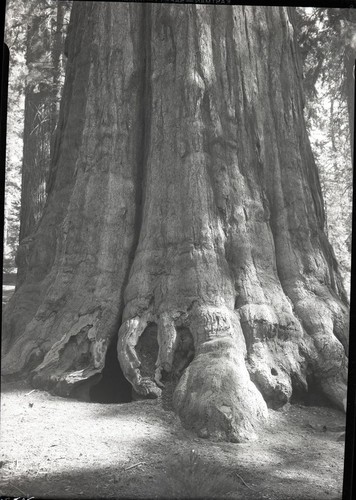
(54, 447)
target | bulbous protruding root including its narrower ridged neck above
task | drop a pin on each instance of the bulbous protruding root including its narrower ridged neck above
(215, 395)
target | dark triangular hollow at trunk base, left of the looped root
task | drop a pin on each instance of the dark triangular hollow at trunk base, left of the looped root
(113, 386)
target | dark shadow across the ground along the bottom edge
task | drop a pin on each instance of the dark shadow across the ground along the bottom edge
(180, 476)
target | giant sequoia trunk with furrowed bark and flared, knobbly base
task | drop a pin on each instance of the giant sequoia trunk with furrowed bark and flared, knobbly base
(184, 221)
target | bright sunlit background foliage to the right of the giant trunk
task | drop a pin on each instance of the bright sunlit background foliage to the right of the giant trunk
(327, 38)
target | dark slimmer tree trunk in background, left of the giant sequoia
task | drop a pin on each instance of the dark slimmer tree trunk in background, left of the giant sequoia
(45, 45)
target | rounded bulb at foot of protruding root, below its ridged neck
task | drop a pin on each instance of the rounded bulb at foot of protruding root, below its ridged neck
(215, 396)
